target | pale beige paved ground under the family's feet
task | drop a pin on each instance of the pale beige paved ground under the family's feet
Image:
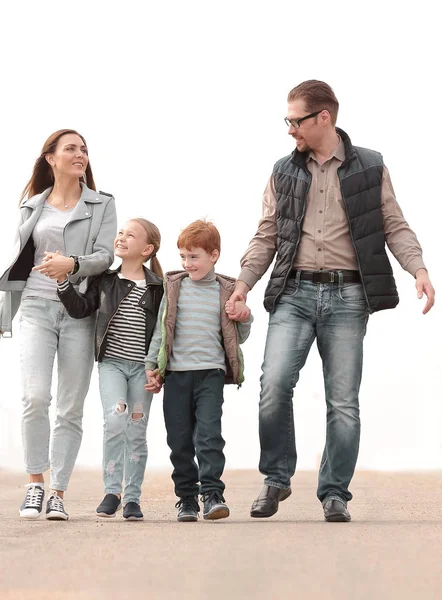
(391, 550)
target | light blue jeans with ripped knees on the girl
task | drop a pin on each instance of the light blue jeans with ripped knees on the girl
(126, 407)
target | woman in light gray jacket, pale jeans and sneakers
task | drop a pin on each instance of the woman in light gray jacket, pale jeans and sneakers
(66, 227)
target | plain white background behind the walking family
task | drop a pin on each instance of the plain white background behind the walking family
(182, 107)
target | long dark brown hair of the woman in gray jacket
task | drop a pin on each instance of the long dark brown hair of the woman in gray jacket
(43, 176)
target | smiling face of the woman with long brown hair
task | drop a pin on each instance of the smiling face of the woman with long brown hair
(70, 158)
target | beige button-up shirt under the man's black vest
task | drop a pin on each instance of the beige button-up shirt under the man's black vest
(325, 242)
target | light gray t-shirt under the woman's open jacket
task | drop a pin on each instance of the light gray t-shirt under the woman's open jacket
(47, 236)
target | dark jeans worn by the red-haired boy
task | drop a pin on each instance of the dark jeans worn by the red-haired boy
(192, 412)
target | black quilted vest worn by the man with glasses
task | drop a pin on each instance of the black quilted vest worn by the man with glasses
(360, 177)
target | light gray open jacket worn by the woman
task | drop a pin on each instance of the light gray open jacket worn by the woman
(89, 235)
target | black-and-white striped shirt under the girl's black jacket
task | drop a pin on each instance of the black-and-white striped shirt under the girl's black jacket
(126, 335)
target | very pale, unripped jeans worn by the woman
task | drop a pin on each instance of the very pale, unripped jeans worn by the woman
(46, 330)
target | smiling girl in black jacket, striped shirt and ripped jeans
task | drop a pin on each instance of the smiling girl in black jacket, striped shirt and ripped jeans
(127, 301)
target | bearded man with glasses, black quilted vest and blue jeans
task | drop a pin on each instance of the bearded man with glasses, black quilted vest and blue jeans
(328, 210)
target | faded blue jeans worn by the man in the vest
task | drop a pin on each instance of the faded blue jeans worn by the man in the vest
(336, 315)
